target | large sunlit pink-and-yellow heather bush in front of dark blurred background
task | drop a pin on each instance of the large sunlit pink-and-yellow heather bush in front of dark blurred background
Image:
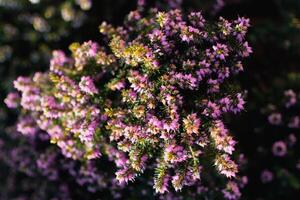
(153, 98)
